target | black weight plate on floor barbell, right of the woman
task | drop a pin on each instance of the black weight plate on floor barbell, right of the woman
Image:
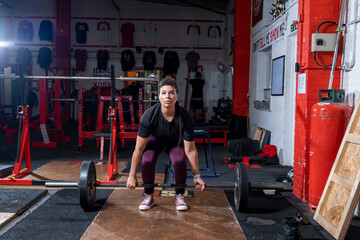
(241, 191)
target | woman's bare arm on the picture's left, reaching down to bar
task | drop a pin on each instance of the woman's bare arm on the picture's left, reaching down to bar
(135, 161)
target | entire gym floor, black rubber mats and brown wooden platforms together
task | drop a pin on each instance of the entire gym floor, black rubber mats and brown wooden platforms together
(56, 214)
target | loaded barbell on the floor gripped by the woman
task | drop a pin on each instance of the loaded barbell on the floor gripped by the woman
(88, 183)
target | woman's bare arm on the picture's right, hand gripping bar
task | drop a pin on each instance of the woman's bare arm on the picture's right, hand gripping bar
(192, 155)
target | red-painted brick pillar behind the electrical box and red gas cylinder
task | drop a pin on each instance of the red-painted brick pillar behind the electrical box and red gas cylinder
(311, 15)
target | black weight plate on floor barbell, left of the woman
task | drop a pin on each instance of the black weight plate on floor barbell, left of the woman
(87, 185)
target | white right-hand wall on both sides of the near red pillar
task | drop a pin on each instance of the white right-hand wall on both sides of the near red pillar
(280, 119)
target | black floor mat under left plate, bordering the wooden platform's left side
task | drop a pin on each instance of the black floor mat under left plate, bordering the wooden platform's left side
(60, 217)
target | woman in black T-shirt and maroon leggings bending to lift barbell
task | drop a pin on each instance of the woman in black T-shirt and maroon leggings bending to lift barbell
(165, 127)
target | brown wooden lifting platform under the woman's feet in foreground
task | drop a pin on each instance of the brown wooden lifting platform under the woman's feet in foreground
(209, 217)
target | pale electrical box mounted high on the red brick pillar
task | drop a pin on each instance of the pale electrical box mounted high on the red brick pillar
(323, 42)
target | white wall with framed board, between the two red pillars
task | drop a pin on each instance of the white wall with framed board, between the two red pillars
(280, 118)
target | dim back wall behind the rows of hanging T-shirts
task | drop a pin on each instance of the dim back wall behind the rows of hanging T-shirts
(169, 34)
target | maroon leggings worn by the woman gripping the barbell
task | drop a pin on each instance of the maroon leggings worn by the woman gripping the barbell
(149, 158)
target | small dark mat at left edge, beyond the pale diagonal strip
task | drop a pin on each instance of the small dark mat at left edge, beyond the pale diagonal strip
(18, 200)
